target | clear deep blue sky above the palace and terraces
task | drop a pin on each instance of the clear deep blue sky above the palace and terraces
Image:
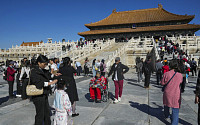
(36, 20)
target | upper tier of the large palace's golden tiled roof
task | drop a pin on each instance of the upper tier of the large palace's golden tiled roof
(140, 16)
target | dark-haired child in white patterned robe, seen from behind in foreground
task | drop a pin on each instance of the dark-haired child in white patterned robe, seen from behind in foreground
(62, 105)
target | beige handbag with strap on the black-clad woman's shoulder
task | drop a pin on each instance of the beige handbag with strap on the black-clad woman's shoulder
(31, 90)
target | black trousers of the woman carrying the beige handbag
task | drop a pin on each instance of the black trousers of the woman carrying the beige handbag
(42, 110)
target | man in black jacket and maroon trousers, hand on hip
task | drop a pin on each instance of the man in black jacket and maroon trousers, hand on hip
(117, 71)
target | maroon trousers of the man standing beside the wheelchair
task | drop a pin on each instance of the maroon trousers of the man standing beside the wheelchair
(118, 88)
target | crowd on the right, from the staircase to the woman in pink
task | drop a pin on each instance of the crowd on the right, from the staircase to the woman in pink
(172, 75)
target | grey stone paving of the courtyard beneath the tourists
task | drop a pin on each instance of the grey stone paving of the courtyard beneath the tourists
(139, 106)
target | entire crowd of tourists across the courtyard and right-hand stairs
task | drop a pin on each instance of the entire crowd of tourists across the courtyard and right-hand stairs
(57, 77)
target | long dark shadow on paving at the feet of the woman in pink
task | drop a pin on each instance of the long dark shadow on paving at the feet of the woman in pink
(155, 112)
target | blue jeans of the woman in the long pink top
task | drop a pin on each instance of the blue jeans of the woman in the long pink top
(174, 116)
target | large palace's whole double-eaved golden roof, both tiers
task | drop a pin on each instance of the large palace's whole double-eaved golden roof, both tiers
(144, 23)
